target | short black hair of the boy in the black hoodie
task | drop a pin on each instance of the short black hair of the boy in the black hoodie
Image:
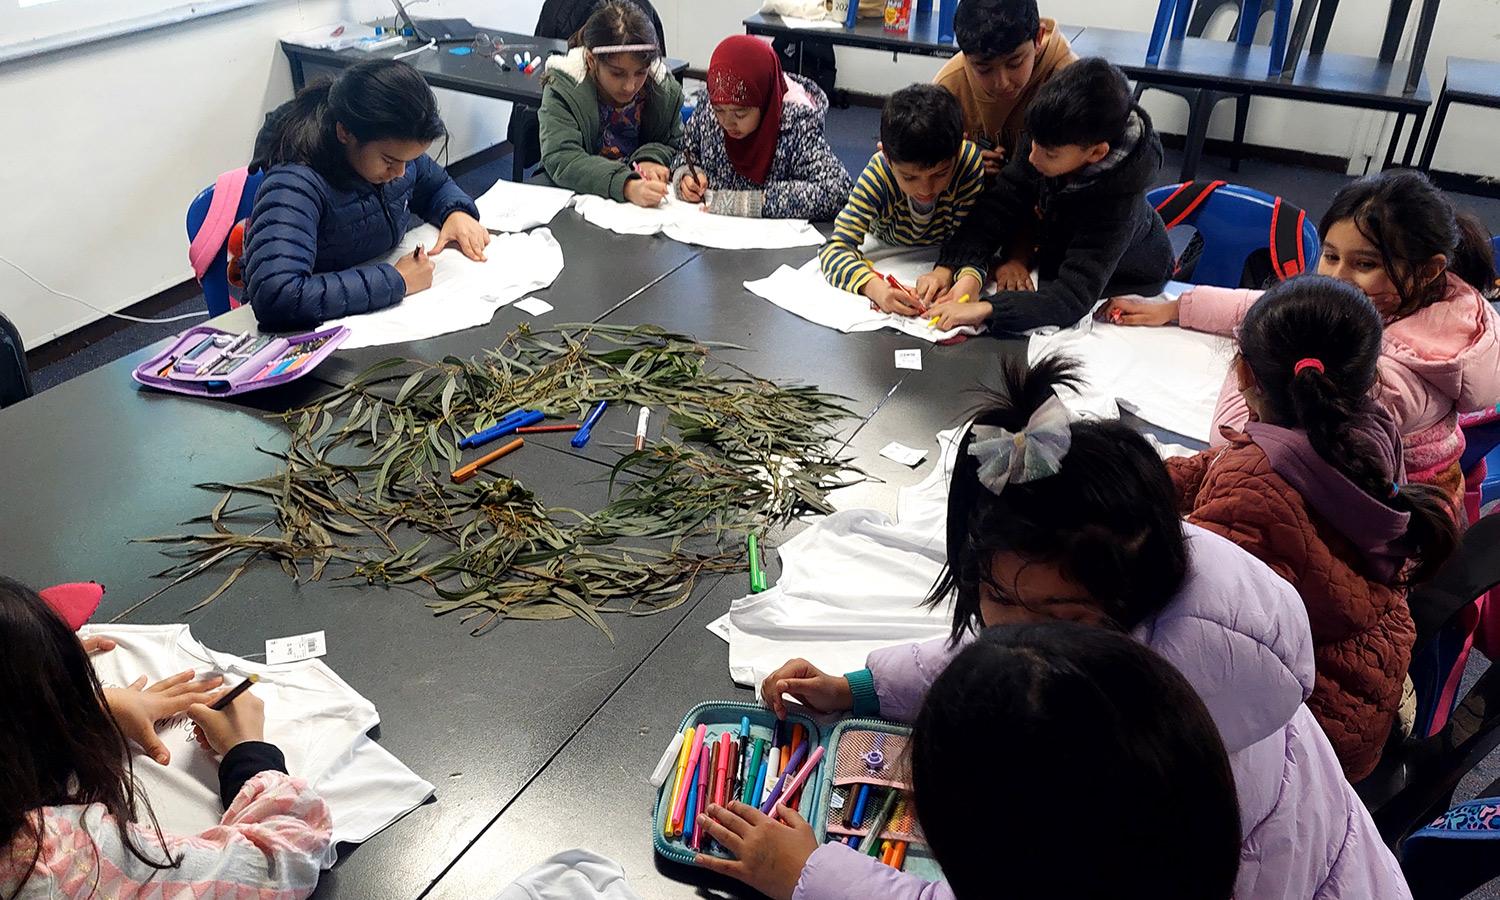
(1085, 104)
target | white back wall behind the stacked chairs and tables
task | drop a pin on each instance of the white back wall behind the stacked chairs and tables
(1465, 28)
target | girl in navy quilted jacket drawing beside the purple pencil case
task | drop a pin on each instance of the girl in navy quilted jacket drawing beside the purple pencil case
(347, 163)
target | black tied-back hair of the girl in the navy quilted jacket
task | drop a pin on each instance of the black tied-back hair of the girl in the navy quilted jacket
(374, 101)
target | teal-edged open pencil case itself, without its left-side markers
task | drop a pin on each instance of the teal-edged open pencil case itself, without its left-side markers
(860, 755)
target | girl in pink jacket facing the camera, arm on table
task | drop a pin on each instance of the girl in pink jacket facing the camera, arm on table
(1399, 239)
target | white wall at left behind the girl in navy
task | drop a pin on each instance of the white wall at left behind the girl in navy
(106, 146)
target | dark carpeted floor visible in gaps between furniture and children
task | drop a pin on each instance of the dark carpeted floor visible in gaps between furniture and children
(854, 134)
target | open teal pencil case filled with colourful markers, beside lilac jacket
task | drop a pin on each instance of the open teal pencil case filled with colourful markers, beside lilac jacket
(859, 755)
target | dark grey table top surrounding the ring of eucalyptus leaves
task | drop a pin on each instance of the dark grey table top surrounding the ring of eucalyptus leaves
(538, 736)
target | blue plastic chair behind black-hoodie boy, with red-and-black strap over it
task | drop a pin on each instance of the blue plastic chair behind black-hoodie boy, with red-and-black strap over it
(1235, 223)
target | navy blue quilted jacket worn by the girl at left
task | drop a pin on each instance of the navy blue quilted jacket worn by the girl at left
(308, 244)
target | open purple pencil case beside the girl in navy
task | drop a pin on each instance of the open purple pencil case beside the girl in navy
(209, 362)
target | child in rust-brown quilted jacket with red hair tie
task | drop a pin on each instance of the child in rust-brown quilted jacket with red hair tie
(1310, 487)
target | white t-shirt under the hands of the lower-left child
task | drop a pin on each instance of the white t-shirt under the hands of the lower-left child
(313, 716)
